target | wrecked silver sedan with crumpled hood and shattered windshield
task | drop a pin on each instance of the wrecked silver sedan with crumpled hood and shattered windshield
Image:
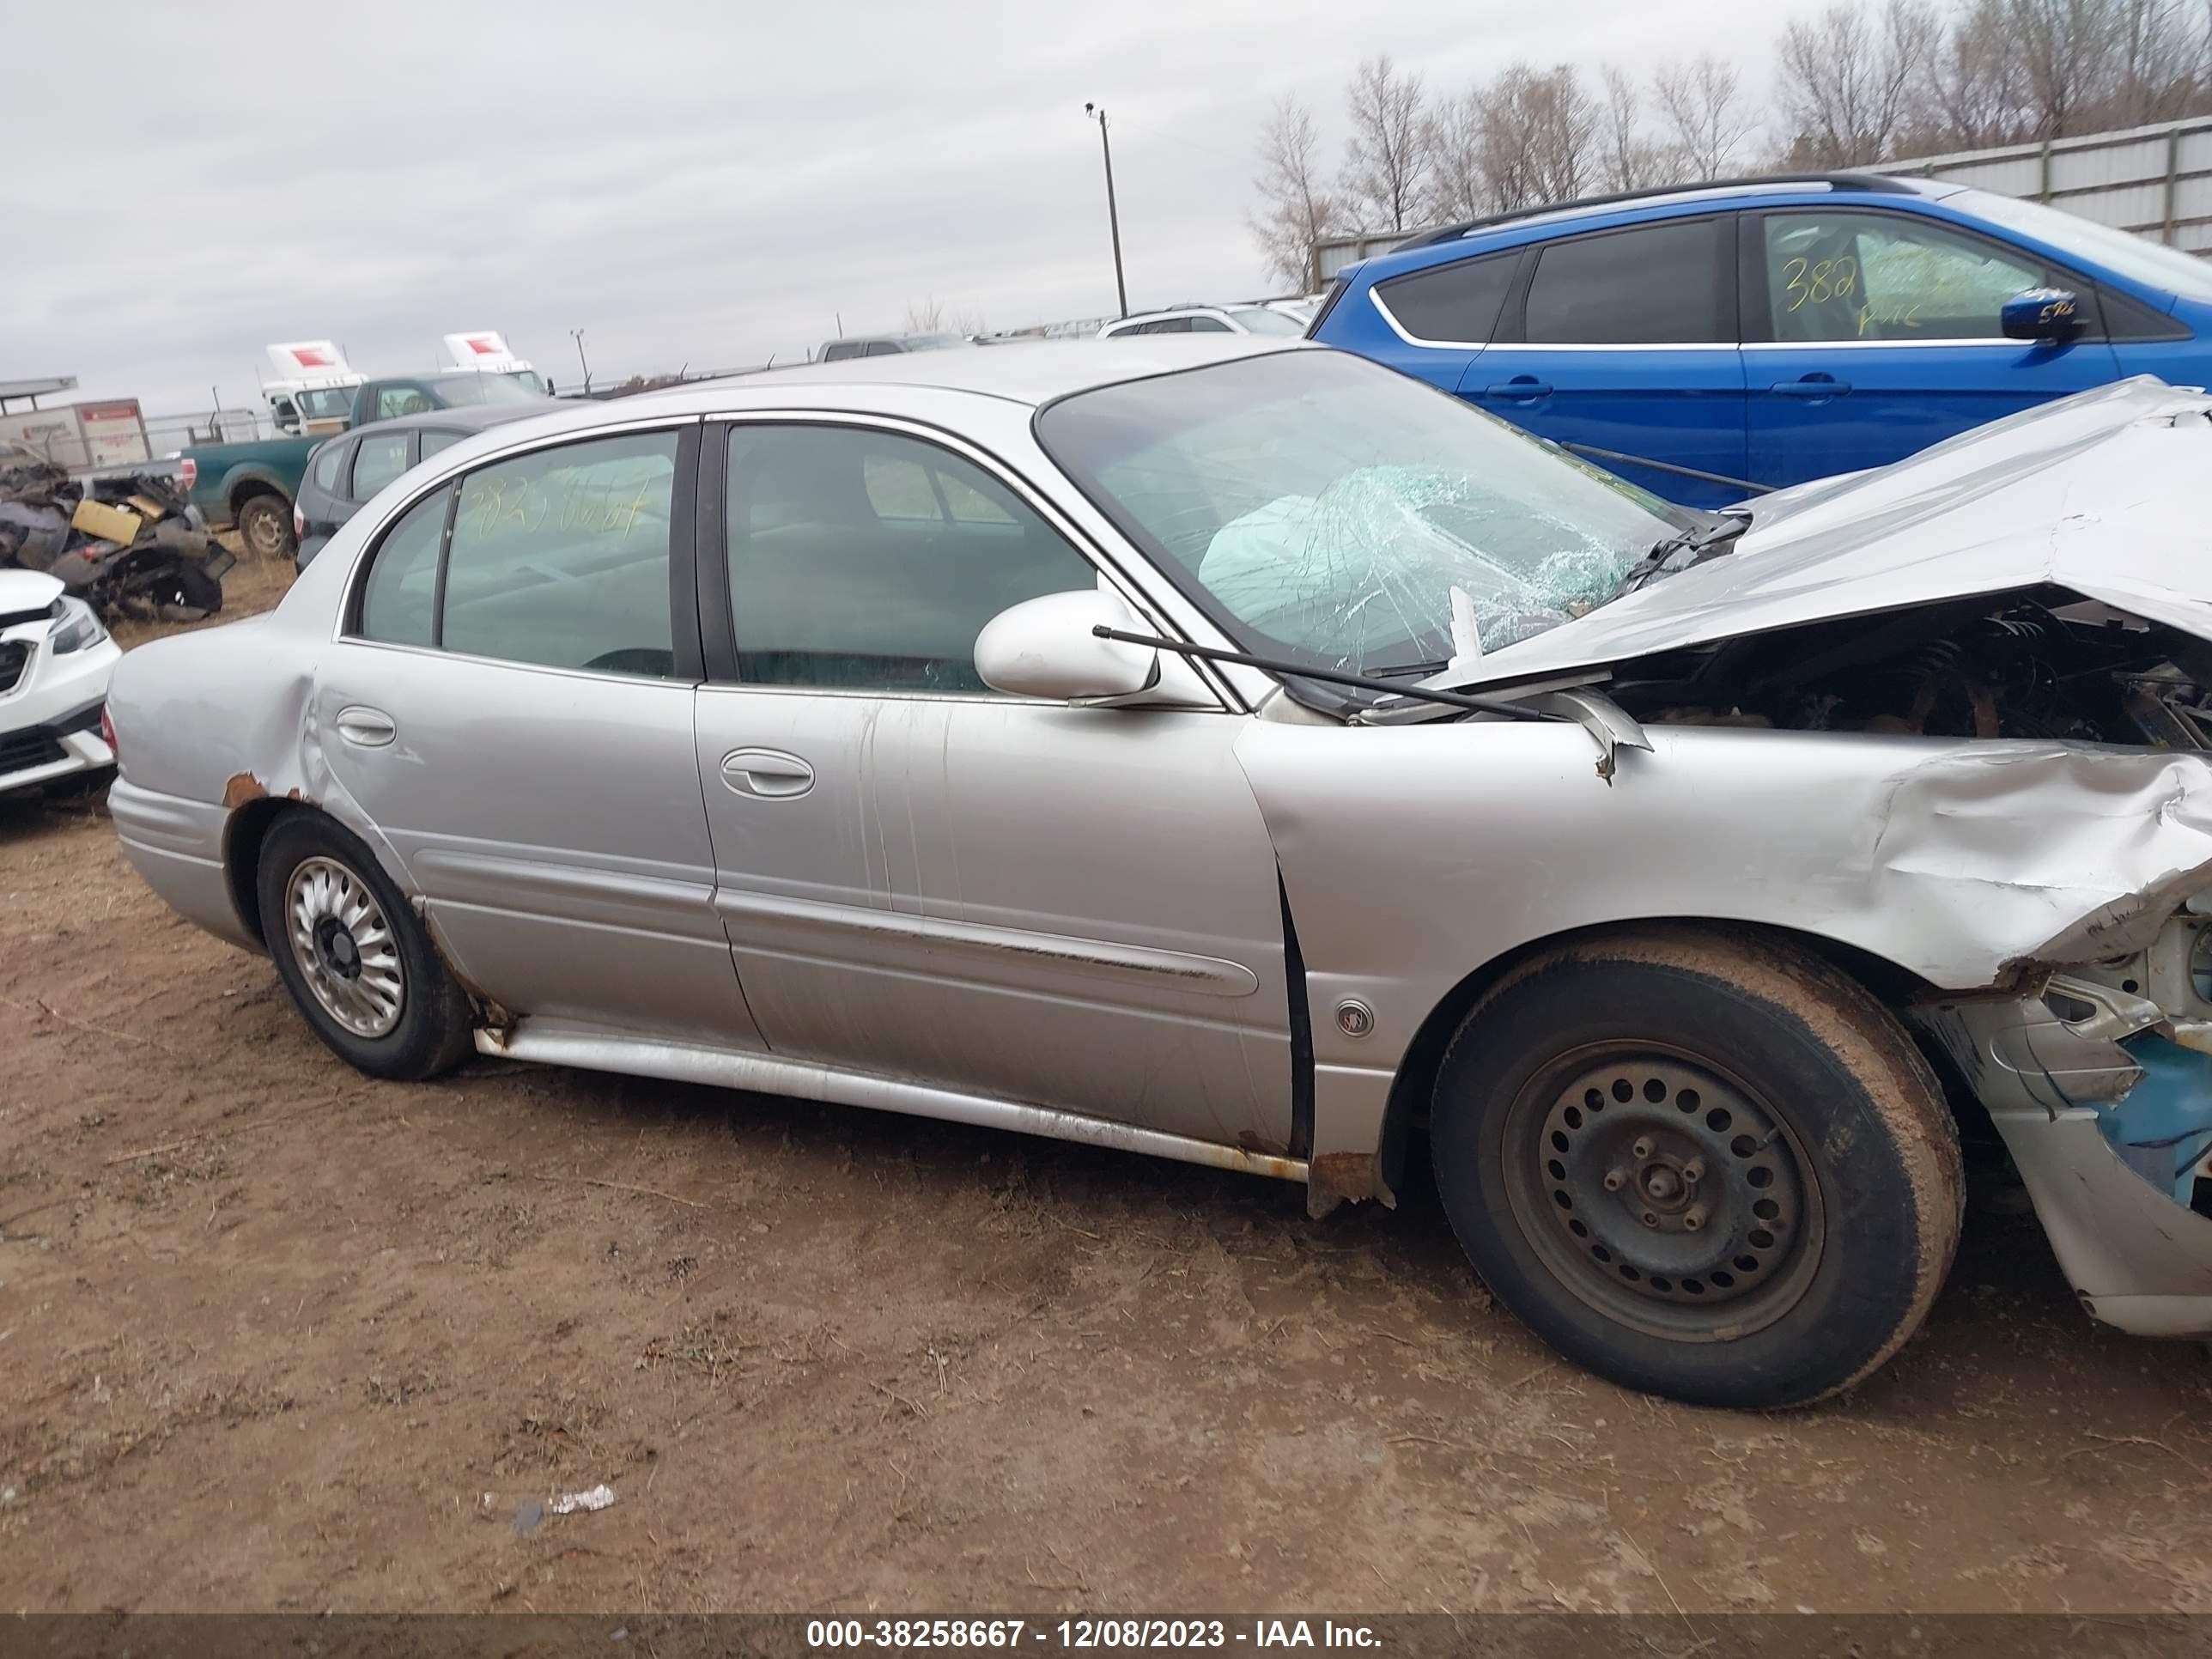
(1240, 753)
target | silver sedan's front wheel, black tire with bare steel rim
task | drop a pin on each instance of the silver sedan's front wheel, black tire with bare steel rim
(1702, 1165)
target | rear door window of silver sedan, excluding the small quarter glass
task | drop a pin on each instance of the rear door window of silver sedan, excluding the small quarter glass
(561, 559)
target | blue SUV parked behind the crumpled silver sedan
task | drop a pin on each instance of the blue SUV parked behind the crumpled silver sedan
(1757, 335)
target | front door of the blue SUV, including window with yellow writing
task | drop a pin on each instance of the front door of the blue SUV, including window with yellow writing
(1875, 333)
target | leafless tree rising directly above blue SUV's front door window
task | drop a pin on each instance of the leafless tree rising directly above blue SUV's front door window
(1848, 79)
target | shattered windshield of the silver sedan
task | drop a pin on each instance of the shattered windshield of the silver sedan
(1337, 512)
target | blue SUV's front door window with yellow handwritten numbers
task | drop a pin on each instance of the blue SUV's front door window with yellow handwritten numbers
(1886, 278)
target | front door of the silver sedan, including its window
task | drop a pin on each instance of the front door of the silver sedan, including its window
(924, 879)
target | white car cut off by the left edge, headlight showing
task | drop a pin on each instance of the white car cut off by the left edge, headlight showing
(54, 682)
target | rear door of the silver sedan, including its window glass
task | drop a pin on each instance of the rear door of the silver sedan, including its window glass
(512, 711)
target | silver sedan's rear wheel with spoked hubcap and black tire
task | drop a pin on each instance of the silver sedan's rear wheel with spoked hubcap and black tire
(353, 954)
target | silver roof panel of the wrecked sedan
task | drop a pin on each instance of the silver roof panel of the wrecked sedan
(1023, 373)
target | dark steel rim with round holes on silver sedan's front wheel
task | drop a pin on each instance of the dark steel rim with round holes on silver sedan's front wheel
(1665, 1193)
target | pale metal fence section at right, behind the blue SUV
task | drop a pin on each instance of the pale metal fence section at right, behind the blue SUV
(2151, 180)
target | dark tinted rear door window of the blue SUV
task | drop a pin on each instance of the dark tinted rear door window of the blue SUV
(1645, 286)
